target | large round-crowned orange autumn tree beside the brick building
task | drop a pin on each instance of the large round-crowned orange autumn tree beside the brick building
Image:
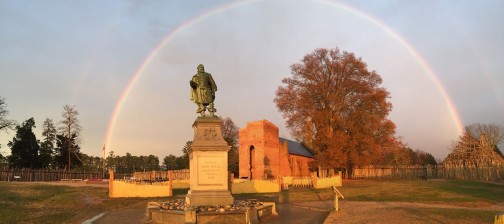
(336, 106)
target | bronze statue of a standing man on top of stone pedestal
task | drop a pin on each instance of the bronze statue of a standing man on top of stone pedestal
(203, 90)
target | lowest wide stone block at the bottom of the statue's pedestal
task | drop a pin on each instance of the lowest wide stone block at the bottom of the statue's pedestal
(209, 197)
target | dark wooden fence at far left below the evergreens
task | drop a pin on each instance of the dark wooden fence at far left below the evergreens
(29, 175)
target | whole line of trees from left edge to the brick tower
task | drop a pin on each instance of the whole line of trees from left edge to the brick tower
(58, 148)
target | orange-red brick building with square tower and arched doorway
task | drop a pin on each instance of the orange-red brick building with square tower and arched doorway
(264, 155)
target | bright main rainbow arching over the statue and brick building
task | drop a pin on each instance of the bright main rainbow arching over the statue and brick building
(195, 20)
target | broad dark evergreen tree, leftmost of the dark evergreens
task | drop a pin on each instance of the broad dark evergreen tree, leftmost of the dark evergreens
(24, 147)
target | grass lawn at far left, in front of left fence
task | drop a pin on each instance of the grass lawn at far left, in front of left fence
(42, 203)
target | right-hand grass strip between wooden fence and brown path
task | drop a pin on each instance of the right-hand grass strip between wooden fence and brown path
(451, 192)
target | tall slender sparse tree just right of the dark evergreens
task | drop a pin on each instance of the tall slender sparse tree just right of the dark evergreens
(70, 127)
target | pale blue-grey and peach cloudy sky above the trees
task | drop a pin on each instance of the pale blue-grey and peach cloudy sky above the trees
(430, 53)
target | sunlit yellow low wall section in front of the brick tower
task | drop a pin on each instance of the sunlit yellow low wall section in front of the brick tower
(254, 186)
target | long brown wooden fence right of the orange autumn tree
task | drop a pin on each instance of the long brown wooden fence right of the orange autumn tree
(491, 173)
